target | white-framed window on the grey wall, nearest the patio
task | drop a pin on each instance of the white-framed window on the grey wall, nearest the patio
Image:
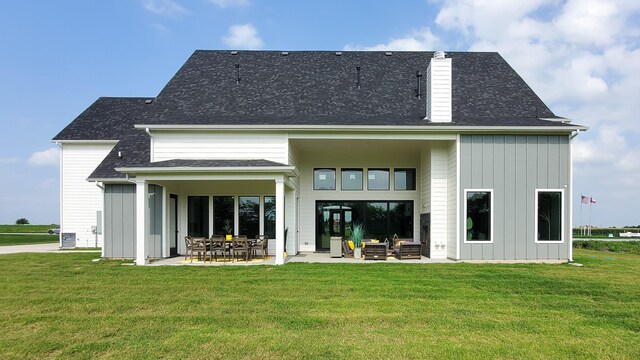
(479, 223)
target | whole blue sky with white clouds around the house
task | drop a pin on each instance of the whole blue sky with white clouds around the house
(57, 57)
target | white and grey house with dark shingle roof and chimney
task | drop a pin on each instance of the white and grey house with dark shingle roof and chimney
(451, 149)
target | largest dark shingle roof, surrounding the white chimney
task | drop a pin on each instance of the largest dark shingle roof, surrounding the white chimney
(323, 88)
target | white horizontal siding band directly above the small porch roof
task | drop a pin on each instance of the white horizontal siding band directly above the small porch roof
(209, 145)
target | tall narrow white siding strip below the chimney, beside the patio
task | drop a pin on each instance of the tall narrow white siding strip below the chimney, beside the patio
(439, 200)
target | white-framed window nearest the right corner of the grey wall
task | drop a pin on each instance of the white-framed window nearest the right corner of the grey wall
(549, 215)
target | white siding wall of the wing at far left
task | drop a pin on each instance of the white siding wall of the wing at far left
(81, 200)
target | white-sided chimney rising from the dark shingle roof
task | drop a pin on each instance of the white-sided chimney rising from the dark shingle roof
(439, 90)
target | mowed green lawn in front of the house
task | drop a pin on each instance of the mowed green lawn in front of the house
(66, 306)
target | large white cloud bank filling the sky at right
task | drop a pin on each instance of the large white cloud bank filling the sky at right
(582, 58)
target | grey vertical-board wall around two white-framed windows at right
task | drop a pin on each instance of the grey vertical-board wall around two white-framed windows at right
(514, 166)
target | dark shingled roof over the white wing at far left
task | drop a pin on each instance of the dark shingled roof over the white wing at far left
(108, 118)
